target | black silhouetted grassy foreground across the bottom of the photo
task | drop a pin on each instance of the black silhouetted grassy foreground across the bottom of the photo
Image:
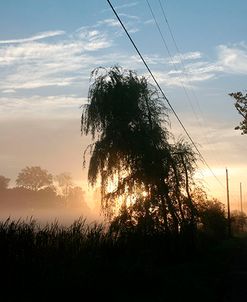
(85, 261)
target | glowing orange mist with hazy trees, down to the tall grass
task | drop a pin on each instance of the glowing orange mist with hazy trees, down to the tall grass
(46, 198)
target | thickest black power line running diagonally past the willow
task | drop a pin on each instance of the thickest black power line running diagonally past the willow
(162, 92)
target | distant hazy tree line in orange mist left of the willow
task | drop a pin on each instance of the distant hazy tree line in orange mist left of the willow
(37, 188)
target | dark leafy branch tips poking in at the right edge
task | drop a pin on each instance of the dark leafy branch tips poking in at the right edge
(241, 106)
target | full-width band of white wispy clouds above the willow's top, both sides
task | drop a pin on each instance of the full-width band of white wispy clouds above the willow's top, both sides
(68, 61)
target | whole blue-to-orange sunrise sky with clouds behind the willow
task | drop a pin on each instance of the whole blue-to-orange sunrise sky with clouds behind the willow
(197, 51)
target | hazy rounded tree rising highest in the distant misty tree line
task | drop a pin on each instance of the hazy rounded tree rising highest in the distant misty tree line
(34, 178)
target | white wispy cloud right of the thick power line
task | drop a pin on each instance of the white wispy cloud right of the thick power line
(193, 67)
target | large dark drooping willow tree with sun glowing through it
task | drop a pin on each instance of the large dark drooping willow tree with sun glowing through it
(130, 154)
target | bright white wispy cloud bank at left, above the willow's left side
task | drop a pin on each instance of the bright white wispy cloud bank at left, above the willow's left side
(32, 65)
